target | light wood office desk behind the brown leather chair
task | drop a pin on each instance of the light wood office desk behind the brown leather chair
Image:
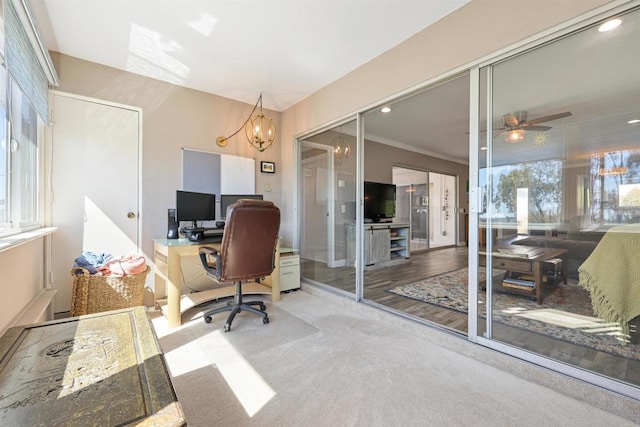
(168, 280)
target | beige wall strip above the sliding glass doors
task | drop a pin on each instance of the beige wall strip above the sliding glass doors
(477, 29)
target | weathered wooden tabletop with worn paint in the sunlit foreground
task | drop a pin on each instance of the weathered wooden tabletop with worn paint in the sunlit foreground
(102, 369)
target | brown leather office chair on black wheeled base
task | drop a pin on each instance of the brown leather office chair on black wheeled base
(247, 252)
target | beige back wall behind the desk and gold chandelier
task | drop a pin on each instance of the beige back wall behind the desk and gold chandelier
(173, 118)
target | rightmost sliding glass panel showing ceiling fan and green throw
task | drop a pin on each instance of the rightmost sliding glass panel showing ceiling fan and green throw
(559, 179)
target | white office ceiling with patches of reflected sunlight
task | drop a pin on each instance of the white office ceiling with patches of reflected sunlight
(236, 49)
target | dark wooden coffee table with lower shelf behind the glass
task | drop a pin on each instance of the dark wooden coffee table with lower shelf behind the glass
(523, 259)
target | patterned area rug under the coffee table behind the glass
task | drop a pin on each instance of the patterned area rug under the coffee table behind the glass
(565, 313)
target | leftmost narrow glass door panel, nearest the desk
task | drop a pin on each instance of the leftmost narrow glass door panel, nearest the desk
(328, 209)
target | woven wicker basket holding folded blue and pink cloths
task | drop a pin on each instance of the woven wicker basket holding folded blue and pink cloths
(94, 293)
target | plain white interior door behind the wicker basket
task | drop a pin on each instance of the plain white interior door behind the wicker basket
(95, 184)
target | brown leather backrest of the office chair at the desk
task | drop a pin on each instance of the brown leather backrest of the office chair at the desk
(249, 241)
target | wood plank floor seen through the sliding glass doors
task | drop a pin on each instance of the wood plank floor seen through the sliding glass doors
(432, 263)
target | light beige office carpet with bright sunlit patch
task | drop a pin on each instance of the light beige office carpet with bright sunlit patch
(326, 361)
